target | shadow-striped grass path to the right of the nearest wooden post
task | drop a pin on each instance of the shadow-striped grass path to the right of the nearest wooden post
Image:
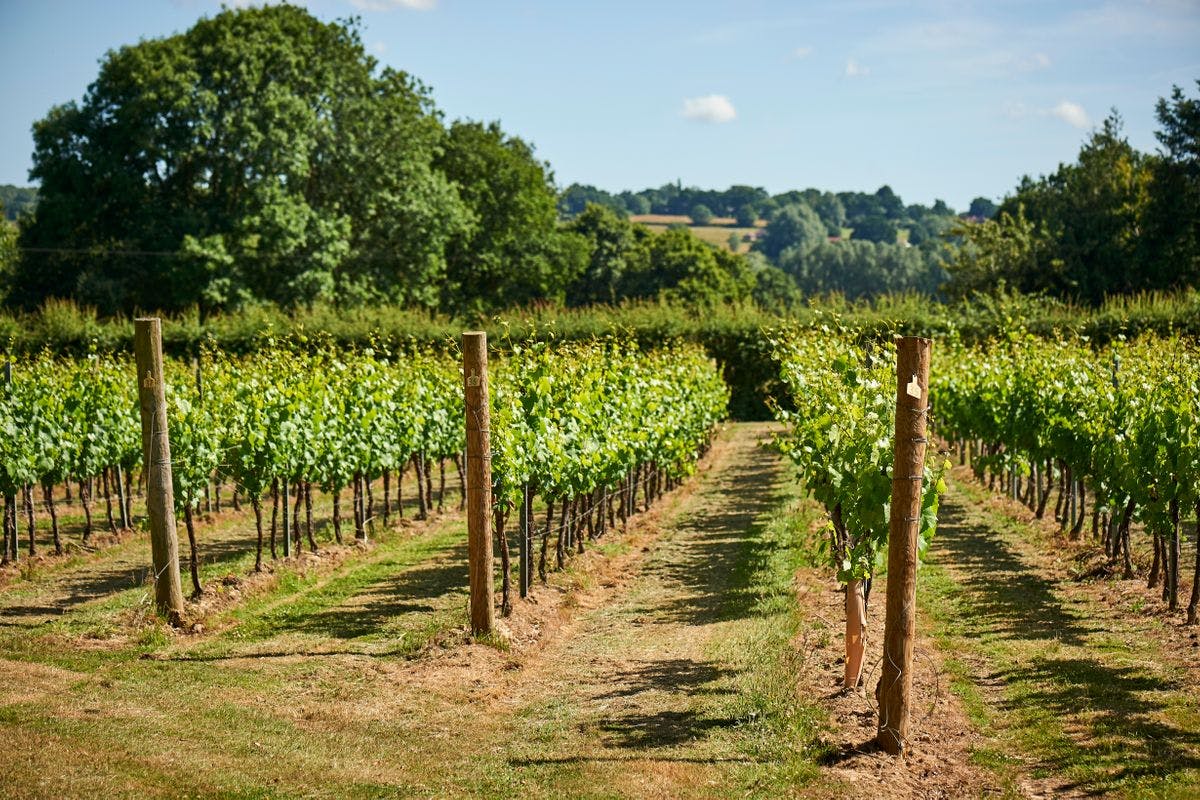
(1071, 693)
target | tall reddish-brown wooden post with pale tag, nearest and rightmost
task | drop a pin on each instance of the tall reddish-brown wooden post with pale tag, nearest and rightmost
(895, 690)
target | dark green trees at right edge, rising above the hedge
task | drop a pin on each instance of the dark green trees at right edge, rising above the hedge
(1115, 221)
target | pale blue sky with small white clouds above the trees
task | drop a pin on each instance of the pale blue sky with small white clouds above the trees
(940, 100)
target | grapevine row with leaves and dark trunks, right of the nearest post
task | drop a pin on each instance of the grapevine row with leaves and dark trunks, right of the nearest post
(1115, 430)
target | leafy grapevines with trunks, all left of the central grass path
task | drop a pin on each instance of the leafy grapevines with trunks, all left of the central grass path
(583, 426)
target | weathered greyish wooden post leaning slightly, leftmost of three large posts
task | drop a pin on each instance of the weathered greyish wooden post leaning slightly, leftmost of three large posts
(157, 461)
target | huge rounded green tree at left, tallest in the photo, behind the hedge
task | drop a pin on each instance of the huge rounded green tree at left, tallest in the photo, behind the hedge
(259, 157)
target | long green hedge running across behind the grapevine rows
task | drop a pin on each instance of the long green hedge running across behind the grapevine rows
(730, 334)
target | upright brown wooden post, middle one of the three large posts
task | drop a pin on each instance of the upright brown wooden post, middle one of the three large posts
(479, 482)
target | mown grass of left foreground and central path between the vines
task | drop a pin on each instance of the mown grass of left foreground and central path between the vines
(671, 679)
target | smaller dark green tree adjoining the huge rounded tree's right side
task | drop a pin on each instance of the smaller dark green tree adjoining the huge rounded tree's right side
(513, 252)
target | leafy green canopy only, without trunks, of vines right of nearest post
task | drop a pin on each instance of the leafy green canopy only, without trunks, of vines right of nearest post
(1126, 418)
